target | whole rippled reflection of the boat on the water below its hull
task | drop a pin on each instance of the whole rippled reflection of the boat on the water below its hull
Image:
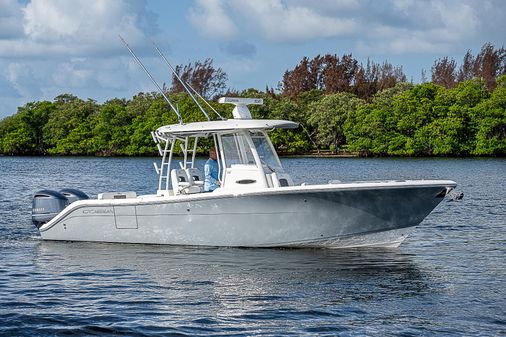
(231, 286)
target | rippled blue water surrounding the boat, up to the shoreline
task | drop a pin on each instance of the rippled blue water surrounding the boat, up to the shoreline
(448, 278)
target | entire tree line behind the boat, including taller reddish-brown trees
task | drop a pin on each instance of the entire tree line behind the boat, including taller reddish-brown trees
(340, 104)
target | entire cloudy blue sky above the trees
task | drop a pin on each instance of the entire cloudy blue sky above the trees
(51, 47)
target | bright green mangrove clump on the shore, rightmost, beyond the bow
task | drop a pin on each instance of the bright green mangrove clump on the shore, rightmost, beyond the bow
(428, 119)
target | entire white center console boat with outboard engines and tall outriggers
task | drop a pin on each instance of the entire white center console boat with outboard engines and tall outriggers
(256, 204)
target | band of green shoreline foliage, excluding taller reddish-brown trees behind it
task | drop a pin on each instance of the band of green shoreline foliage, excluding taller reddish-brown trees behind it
(404, 120)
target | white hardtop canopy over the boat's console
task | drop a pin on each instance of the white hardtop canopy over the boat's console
(224, 126)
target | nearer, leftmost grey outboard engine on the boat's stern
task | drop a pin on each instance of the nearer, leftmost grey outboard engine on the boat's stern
(46, 204)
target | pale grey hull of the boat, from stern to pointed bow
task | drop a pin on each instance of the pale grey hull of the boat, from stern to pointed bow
(328, 217)
